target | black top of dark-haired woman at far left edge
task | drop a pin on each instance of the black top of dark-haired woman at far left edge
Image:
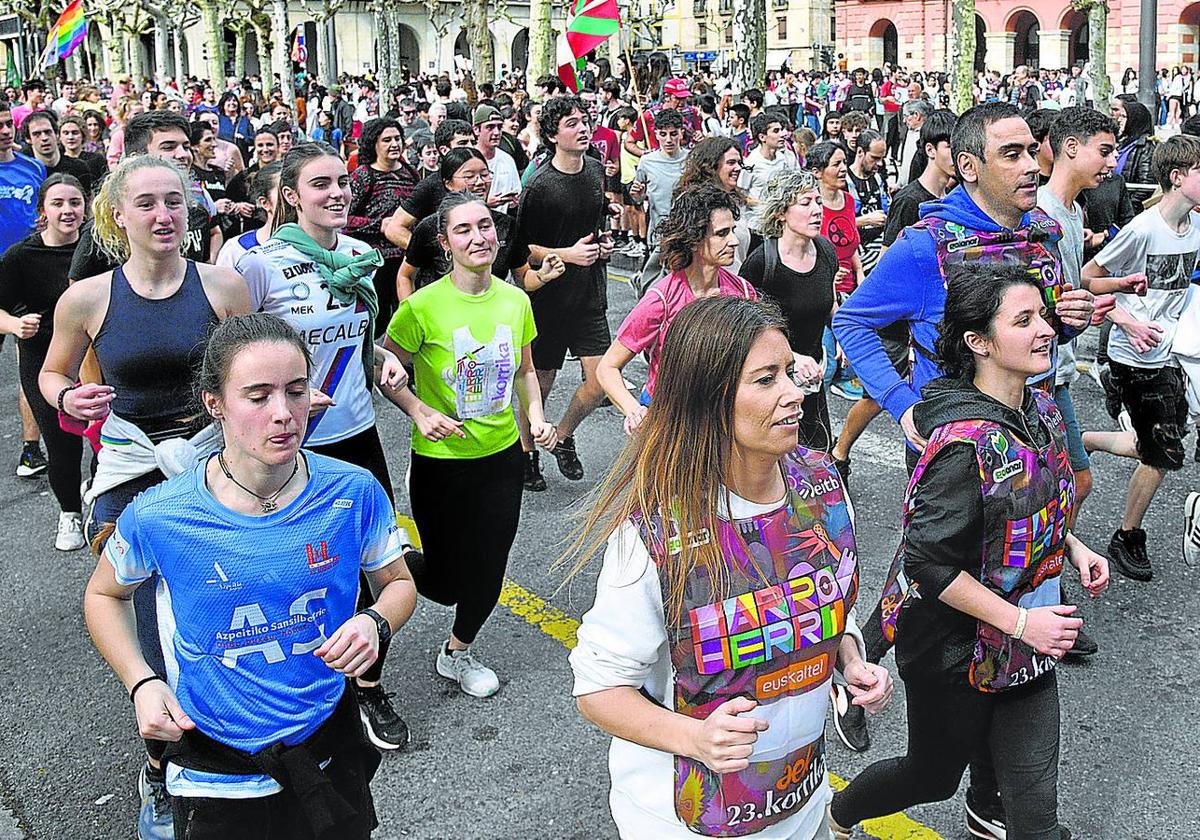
(33, 278)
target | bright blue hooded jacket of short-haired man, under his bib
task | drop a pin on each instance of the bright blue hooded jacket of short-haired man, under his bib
(905, 286)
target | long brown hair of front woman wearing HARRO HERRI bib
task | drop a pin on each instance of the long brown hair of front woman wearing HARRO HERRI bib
(675, 464)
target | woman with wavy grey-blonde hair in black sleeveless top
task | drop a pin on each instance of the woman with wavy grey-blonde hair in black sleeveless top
(796, 267)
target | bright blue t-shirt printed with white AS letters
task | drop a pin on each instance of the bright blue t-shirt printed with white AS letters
(245, 601)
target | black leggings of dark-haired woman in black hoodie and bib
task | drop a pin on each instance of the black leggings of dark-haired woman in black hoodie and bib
(947, 724)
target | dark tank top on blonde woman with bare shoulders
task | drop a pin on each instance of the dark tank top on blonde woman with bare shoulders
(151, 351)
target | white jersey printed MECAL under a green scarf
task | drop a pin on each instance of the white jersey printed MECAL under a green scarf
(286, 284)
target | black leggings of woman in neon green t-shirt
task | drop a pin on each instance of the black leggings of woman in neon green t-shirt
(467, 512)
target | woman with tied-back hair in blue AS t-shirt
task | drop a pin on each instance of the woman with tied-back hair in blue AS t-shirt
(260, 548)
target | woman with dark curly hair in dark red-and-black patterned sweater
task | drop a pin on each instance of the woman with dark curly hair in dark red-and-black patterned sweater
(382, 181)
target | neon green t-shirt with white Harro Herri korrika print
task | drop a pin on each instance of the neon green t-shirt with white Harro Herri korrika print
(466, 358)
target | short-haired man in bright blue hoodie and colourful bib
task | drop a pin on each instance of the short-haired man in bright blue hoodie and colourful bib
(991, 215)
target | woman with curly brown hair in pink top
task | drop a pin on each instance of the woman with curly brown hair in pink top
(698, 248)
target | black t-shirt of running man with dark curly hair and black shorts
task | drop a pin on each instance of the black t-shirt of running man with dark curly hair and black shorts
(557, 211)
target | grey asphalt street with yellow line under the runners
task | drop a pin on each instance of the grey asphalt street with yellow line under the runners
(524, 765)
